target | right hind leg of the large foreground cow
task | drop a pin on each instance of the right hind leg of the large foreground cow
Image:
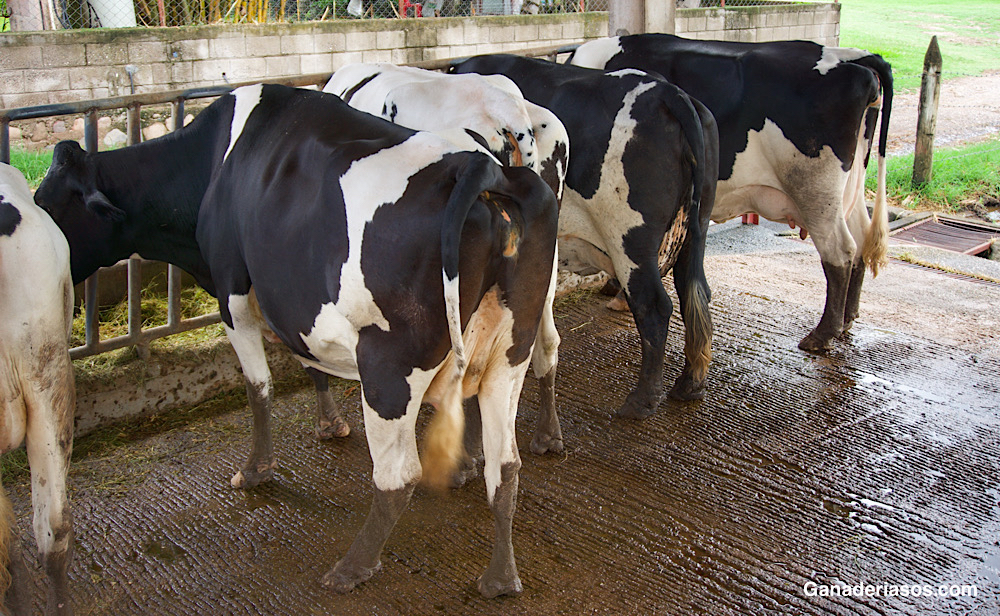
(498, 397)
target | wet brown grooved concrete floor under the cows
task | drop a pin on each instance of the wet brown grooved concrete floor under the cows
(875, 464)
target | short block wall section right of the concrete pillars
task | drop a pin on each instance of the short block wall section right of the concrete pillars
(818, 22)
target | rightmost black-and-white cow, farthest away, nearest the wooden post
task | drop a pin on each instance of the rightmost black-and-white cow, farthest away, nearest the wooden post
(796, 125)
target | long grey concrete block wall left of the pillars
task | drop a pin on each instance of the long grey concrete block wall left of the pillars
(52, 67)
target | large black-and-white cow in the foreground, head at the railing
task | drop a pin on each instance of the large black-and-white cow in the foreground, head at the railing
(372, 251)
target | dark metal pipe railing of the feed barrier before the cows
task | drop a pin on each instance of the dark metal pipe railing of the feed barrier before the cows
(136, 336)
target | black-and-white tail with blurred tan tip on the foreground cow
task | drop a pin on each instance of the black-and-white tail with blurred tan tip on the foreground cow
(443, 442)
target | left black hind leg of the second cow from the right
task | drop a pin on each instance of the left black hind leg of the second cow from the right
(651, 308)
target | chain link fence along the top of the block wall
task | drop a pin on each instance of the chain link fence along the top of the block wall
(34, 15)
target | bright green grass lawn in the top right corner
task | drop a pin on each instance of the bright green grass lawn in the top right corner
(968, 33)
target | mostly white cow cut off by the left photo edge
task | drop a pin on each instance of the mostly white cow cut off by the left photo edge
(37, 394)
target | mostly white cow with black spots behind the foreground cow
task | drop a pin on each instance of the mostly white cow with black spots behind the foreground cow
(474, 110)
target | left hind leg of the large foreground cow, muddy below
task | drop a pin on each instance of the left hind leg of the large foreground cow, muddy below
(395, 472)
